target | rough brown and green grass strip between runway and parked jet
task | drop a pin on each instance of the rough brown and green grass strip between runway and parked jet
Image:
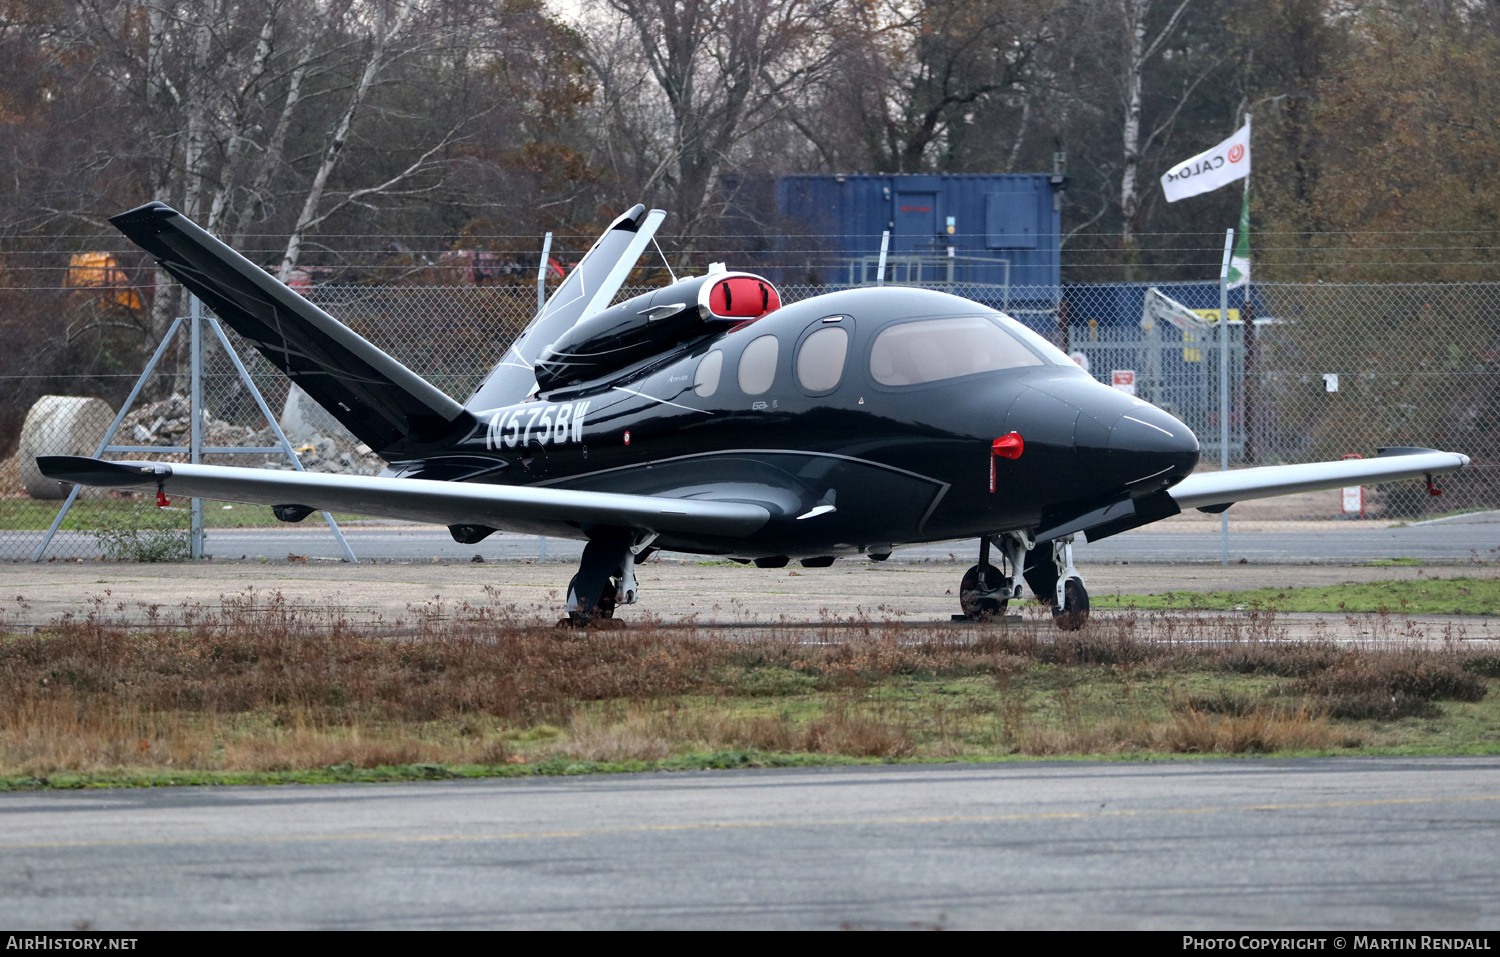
(260, 691)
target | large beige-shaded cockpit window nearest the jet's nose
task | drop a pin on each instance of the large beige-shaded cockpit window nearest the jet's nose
(937, 350)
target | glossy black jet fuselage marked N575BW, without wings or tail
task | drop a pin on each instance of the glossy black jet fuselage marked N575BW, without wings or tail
(845, 469)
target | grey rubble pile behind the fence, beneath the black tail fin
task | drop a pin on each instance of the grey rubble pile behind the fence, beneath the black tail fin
(167, 424)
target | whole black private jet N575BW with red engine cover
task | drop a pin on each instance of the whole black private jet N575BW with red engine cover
(709, 418)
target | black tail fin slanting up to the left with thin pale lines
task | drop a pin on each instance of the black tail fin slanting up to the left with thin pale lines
(383, 403)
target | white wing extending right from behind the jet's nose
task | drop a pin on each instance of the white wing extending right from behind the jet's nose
(1208, 490)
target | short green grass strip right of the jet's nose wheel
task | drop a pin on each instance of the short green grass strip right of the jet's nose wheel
(1450, 596)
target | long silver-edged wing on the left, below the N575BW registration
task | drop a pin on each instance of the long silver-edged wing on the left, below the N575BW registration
(419, 500)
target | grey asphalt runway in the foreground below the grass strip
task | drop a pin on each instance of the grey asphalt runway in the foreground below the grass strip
(1316, 844)
